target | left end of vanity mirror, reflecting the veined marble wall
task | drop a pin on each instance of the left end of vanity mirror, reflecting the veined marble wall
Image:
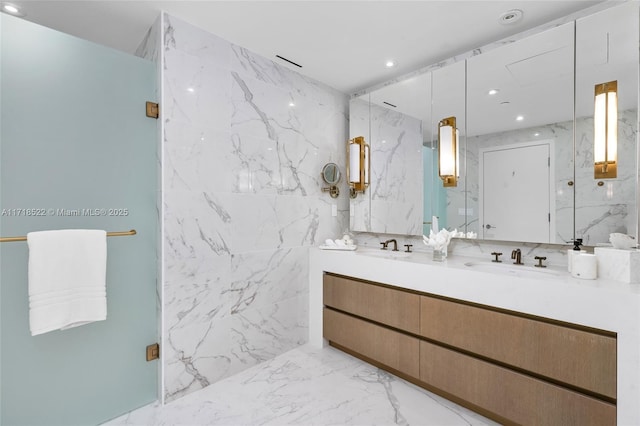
(393, 203)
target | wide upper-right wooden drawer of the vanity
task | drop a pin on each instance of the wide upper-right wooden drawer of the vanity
(576, 357)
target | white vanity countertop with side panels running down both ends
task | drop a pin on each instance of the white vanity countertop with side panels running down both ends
(548, 292)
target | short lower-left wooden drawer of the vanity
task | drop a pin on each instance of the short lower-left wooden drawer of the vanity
(388, 347)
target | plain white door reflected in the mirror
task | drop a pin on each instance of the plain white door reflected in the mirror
(515, 196)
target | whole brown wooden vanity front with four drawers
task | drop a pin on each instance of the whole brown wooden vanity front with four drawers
(508, 366)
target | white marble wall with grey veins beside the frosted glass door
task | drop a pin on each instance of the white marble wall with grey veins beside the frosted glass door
(245, 140)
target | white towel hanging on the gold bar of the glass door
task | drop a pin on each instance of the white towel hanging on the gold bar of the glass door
(67, 278)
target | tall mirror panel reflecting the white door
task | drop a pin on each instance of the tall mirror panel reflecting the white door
(520, 139)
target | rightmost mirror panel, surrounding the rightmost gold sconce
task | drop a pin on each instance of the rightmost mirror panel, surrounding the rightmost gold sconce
(607, 50)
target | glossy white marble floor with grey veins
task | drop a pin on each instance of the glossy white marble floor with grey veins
(308, 386)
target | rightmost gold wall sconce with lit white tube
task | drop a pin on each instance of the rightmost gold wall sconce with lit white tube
(605, 137)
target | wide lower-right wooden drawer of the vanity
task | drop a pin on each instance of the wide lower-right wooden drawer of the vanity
(514, 396)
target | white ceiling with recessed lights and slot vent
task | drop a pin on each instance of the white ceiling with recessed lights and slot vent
(343, 44)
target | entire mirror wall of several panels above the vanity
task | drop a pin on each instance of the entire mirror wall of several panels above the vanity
(526, 166)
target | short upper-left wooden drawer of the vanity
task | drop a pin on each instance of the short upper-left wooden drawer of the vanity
(395, 308)
